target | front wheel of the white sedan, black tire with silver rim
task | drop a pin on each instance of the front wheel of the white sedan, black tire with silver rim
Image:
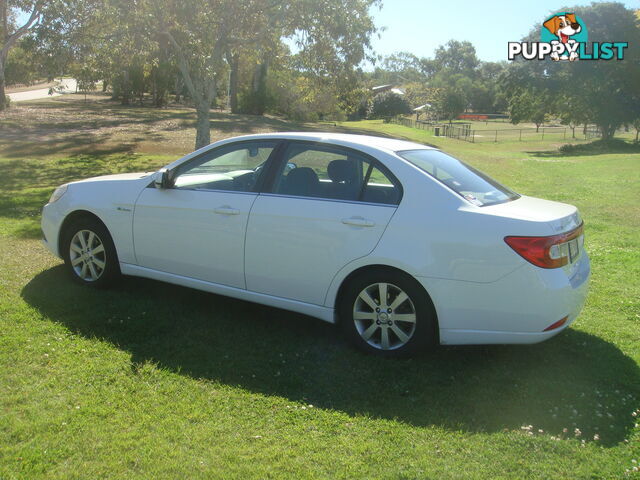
(89, 254)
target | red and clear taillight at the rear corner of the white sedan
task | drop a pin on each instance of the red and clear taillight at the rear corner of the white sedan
(545, 252)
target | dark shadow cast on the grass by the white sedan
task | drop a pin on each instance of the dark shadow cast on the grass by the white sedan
(555, 385)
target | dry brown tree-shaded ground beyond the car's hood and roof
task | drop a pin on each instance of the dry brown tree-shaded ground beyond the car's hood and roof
(70, 125)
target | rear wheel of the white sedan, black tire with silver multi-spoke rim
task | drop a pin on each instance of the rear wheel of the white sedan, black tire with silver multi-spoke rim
(402, 324)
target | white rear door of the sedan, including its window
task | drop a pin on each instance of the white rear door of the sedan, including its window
(327, 206)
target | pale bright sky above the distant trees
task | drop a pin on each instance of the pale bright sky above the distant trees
(420, 26)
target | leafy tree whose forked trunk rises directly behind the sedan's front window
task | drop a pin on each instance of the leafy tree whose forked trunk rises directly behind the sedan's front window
(331, 34)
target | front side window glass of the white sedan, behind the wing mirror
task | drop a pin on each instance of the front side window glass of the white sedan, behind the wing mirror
(236, 168)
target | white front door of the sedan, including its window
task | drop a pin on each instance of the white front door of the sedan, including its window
(196, 227)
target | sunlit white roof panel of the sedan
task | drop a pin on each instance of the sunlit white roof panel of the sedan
(344, 139)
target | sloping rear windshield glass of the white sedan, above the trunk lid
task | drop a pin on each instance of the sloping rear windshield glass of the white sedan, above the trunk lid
(471, 184)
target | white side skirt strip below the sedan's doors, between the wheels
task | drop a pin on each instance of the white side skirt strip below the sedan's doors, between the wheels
(317, 311)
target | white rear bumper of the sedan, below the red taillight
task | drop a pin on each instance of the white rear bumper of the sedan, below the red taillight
(515, 309)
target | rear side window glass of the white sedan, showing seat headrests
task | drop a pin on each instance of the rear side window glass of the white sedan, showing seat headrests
(333, 173)
